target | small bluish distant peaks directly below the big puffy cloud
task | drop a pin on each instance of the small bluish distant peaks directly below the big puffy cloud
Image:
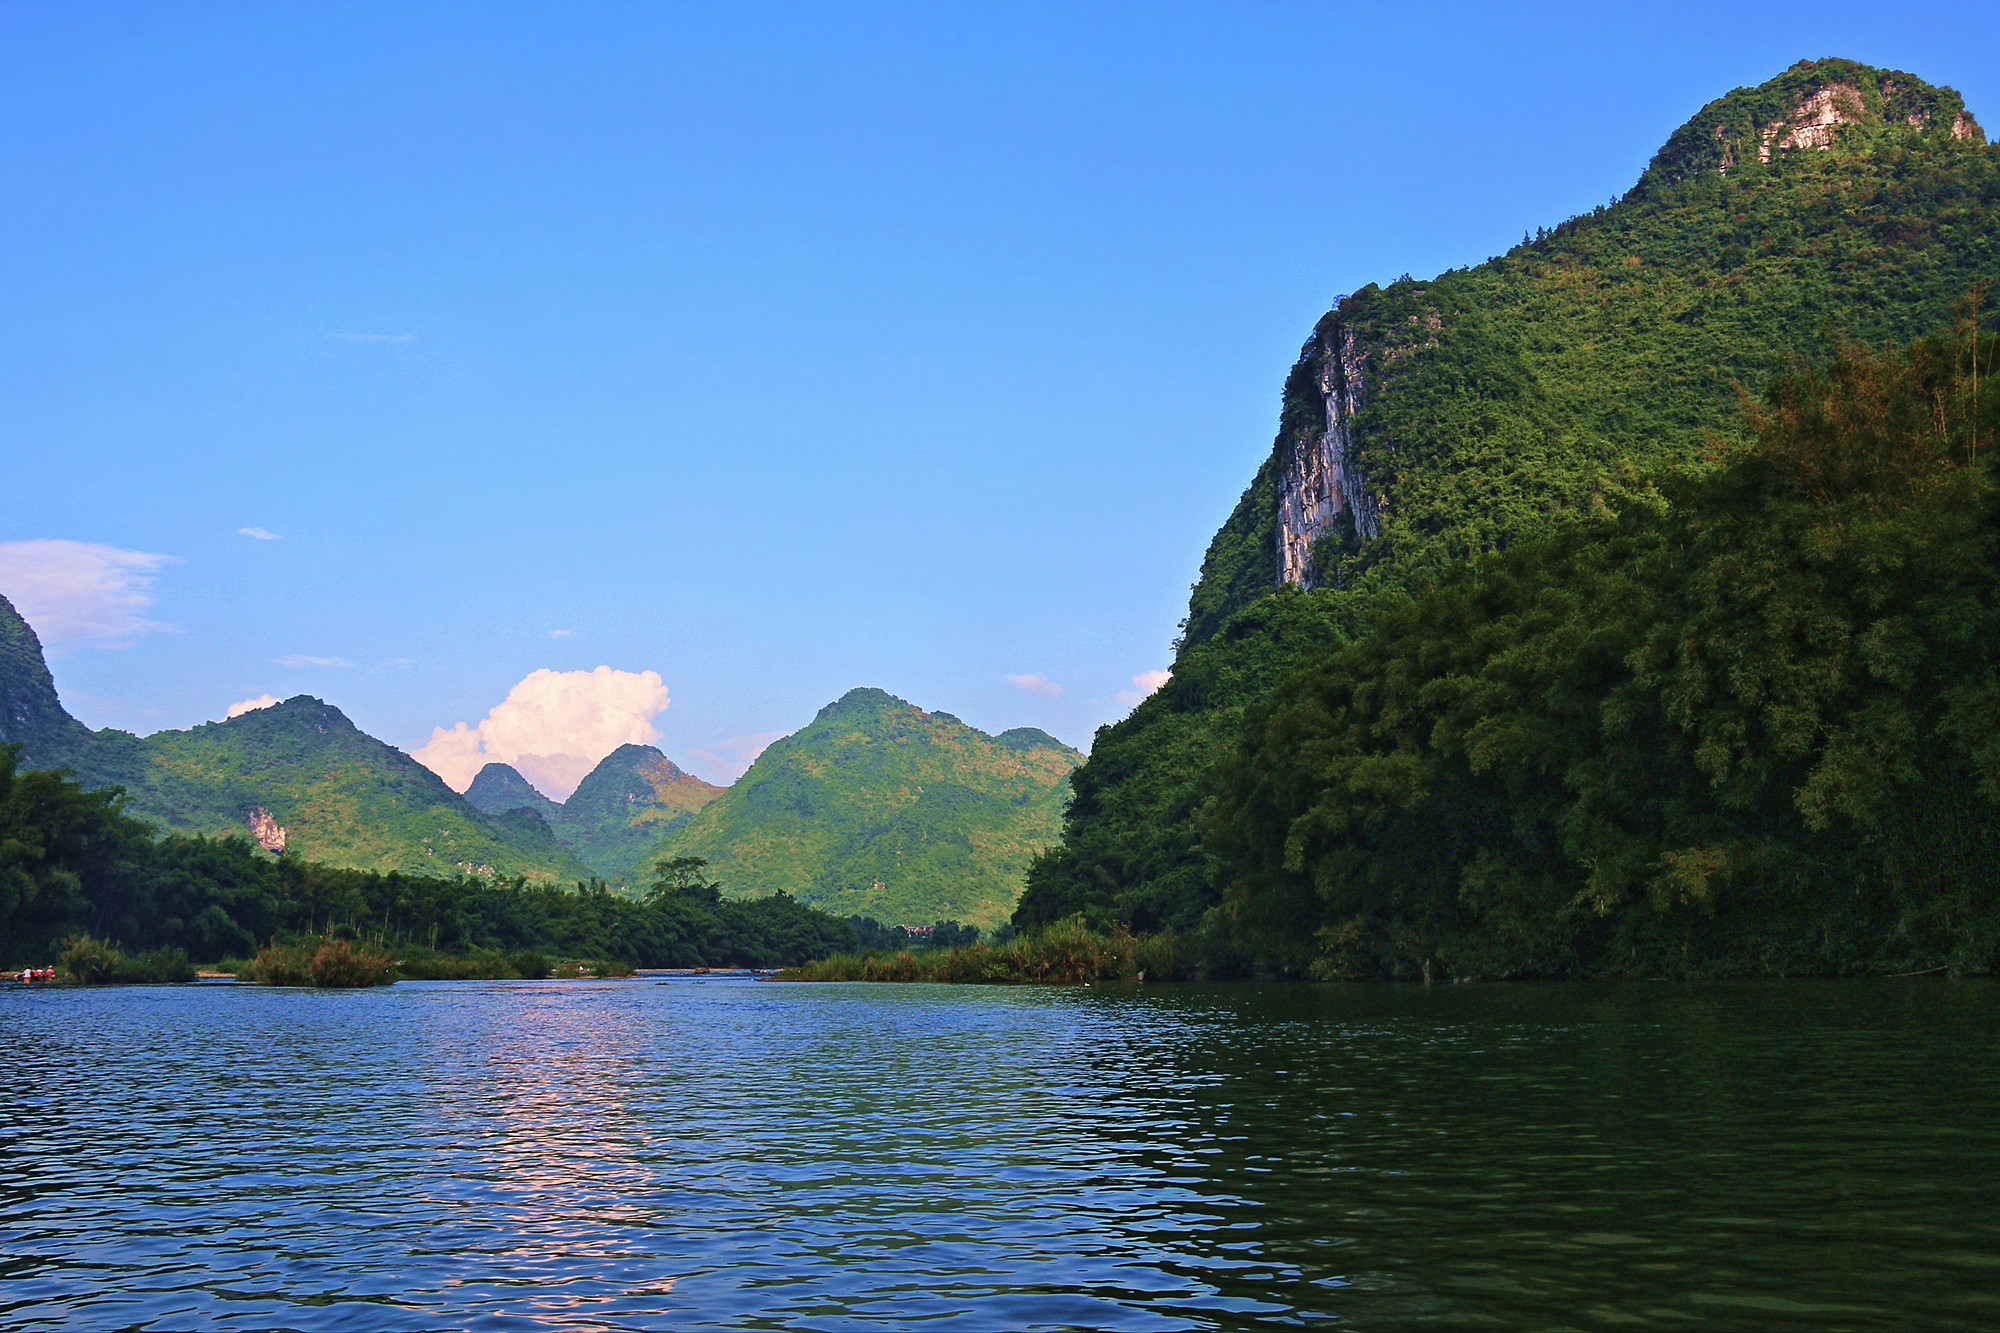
(617, 816)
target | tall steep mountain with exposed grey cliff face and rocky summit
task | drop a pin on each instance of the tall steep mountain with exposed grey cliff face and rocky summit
(1431, 421)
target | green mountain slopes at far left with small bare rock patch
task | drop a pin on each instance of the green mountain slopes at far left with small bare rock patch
(297, 778)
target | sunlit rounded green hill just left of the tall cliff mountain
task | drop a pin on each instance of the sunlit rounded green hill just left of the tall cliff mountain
(887, 812)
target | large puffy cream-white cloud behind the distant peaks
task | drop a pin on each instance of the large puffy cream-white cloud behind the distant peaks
(553, 728)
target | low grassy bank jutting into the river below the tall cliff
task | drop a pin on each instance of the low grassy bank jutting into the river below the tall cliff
(1065, 954)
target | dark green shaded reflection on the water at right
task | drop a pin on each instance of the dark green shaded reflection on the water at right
(1777, 1156)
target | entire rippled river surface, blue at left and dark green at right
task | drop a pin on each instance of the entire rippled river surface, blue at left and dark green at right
(723, 1154)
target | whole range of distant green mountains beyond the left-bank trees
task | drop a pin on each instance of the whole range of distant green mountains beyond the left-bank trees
(877, 808)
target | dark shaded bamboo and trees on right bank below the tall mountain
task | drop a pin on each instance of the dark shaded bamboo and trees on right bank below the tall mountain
(1749, 728)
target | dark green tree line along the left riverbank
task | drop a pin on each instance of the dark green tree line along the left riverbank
(73, 864)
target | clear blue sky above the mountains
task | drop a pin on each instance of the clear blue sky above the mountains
(775, 349)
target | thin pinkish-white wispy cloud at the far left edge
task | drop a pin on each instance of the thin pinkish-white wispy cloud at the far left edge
(81, 593)
